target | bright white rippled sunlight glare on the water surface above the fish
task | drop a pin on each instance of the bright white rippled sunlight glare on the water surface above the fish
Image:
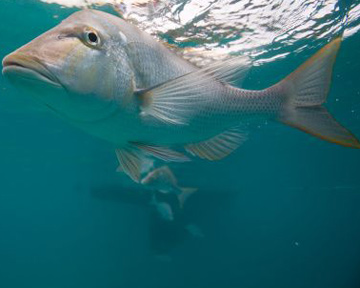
(255, 27)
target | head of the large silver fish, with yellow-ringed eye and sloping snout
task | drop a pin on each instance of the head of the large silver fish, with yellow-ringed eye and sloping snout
(79, 68)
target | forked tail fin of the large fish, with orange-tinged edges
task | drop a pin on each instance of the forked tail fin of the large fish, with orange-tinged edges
(306, 90)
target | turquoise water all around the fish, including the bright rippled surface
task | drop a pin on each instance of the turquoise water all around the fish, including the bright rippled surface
(282, 211)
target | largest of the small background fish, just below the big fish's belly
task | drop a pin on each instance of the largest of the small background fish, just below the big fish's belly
(163, 180)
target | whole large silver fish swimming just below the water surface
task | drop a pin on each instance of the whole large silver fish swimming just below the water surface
(111, 79)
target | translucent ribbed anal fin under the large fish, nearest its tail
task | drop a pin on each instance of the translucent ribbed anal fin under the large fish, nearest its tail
(219, 146)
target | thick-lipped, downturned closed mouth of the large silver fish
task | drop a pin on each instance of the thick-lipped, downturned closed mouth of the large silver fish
(28, 67)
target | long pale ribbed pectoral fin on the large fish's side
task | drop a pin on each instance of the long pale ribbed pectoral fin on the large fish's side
(175, 101)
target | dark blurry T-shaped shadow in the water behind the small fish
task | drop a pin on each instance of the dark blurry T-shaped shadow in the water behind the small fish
(165, 236)
